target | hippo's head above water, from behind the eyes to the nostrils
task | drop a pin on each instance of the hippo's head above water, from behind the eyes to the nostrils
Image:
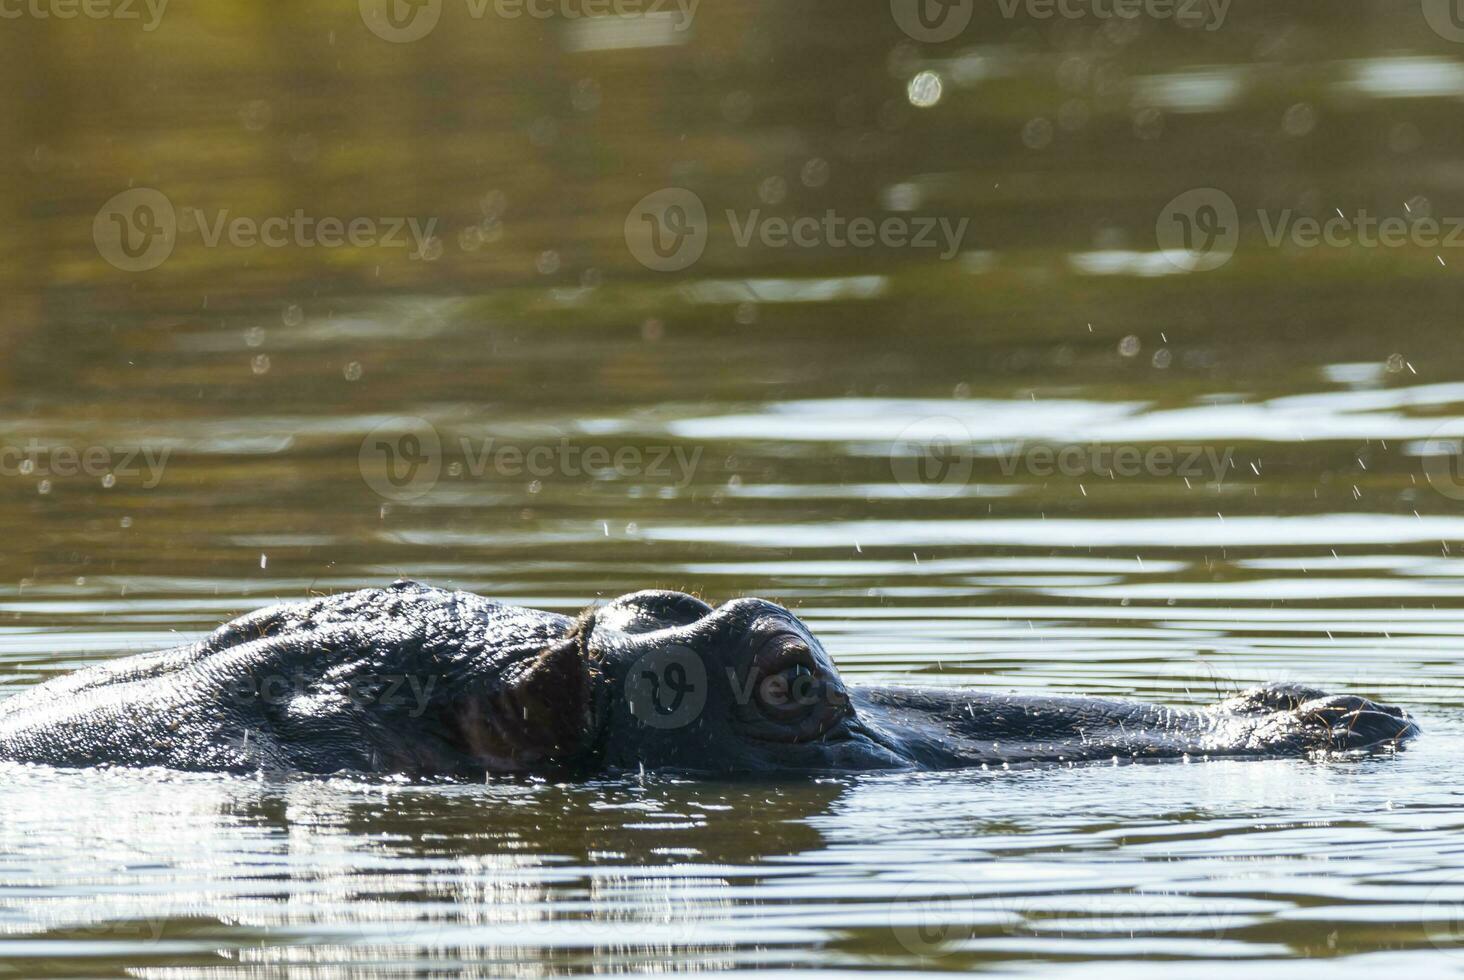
(664, 682)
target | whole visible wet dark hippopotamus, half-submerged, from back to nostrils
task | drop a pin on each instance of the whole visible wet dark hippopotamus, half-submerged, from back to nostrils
(425, 683)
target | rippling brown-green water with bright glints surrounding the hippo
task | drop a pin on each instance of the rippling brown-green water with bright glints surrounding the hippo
(872, 436)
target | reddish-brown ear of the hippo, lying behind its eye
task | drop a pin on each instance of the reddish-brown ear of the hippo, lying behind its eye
(544, 711)
